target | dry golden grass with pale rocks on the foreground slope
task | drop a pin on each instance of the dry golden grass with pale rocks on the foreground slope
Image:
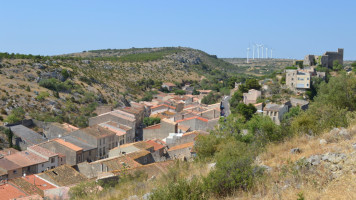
(284, 182)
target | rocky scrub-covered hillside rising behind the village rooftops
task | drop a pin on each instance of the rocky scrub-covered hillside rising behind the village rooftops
(69, 87)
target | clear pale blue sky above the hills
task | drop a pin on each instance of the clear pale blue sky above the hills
(223, 28)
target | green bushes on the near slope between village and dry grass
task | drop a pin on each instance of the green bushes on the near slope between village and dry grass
(235, 151)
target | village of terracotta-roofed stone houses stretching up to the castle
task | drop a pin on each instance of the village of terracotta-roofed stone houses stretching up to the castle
(54, 157)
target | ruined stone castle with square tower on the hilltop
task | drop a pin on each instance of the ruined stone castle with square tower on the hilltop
(325, 60)
